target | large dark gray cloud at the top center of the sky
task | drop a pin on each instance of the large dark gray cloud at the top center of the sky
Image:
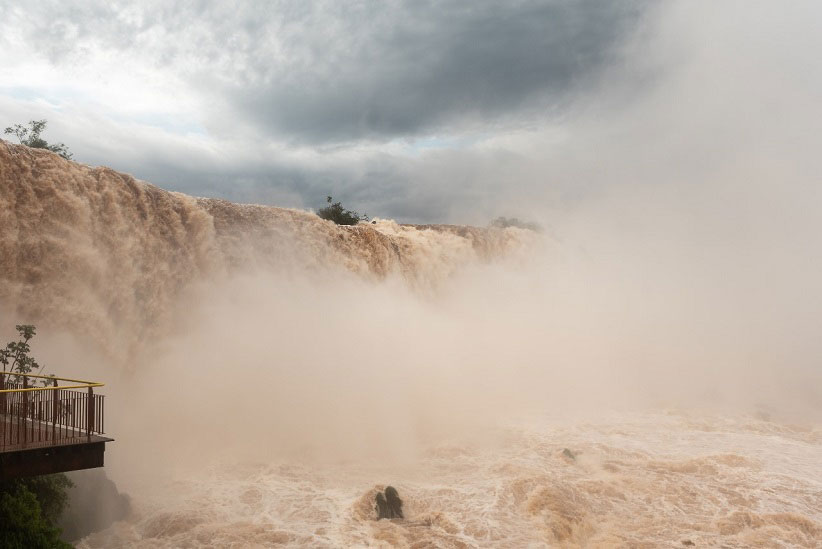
(390, 70)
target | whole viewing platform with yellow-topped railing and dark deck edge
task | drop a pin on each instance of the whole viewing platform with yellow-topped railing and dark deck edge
(49, 425)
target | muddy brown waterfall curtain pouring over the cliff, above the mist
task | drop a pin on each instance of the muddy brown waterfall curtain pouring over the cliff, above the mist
(92, 247)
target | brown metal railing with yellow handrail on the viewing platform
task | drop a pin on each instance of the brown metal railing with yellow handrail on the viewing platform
(50, 414)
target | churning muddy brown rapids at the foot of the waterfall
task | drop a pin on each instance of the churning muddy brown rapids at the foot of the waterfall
(671, 479)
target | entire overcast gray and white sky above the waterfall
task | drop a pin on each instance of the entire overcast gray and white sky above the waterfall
(420, 111)
